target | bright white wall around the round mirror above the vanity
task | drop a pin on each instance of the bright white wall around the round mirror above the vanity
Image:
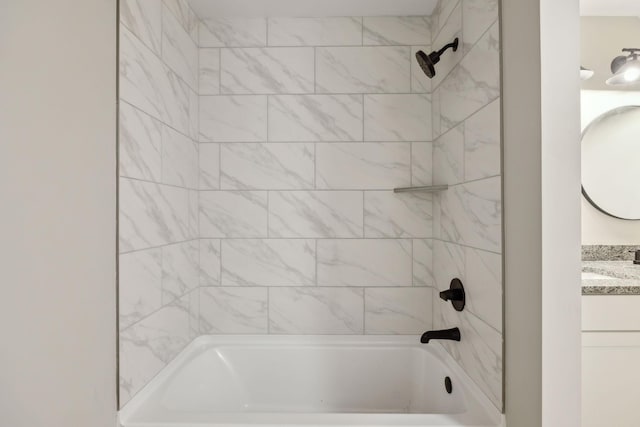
(598, 228)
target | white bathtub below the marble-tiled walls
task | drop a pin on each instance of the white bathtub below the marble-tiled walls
(310, 381)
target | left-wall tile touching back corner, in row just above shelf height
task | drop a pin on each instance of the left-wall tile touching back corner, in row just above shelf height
(179, 159)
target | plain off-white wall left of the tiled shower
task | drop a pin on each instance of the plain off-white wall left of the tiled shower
(58, 192)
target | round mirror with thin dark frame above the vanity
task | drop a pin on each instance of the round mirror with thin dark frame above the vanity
(611, 163)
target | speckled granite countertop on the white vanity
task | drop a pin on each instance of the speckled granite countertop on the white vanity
(610, 278)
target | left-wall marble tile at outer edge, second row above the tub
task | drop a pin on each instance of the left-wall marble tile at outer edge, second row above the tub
(140, 279)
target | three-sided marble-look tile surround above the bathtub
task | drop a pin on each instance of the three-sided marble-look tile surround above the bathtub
(280, 218)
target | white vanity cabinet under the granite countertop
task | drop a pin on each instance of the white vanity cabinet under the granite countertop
(610, 360)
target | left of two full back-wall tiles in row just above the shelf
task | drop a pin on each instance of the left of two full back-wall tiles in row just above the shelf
(280, 166)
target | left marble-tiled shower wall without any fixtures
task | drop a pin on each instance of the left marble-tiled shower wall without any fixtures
(159, 268)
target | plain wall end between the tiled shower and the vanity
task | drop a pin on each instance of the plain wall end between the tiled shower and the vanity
(541, 213)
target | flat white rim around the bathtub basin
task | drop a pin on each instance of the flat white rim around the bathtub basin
(204, 342)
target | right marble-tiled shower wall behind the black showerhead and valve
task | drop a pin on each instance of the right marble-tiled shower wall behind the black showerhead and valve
(467, 155)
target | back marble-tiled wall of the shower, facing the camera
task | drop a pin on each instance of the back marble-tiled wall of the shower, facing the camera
(306, 125)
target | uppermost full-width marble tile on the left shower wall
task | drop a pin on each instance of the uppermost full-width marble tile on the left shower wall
(148, 84)
